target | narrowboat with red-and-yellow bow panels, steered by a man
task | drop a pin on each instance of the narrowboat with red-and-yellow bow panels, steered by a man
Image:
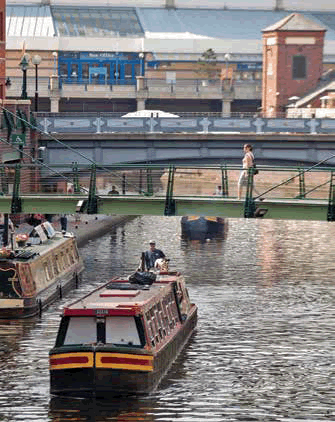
(123, 337)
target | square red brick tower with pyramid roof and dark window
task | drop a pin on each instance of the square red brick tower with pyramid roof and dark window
(292, 61)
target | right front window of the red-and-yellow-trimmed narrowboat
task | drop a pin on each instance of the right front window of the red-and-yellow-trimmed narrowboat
(122, 331)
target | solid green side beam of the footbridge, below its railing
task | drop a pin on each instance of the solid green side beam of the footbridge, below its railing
(295, 209)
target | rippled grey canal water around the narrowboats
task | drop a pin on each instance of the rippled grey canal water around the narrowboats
(264, 349)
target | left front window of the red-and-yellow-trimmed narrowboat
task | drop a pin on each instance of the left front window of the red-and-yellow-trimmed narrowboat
(81, 330)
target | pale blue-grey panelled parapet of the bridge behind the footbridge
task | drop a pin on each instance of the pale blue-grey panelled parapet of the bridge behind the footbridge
(178, 123)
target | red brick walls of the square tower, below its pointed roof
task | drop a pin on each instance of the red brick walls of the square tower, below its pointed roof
(279, 86)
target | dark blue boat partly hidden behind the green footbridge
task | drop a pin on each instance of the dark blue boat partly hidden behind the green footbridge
(201, 227)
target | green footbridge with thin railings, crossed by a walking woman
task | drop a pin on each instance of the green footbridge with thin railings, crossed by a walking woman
(274, 193)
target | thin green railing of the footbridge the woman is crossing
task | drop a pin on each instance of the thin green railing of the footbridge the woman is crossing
(155, 180)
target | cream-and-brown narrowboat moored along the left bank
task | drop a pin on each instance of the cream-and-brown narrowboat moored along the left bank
(38, 269)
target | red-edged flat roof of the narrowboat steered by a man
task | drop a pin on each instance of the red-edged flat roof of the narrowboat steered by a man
(121, 297)
